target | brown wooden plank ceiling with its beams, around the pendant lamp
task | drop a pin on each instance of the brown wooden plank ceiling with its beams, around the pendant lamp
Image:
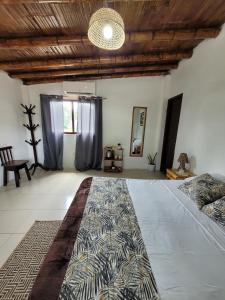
(46, 41)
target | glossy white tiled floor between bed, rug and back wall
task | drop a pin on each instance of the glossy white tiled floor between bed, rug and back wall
(46, 197)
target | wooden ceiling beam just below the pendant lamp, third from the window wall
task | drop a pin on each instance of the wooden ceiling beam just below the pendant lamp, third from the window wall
(92, 61)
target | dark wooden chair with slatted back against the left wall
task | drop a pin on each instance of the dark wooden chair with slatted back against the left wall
(9, 164)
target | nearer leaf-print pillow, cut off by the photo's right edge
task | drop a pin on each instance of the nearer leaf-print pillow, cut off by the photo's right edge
(216, 211)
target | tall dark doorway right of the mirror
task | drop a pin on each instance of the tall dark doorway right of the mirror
(170, 133)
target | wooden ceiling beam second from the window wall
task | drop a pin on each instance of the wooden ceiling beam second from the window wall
(76, 72)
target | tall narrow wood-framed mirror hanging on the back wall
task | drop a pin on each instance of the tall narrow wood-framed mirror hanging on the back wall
(138, 131)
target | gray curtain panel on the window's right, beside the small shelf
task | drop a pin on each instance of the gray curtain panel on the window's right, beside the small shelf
(89, 134)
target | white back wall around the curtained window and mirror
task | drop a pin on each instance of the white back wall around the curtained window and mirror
(122, 95)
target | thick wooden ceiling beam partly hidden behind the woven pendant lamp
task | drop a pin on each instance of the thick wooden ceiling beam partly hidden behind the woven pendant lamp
(134, 37)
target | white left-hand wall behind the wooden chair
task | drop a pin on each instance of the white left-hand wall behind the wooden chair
(11, 118)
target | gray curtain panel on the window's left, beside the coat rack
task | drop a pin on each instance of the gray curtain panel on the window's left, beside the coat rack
(52, 129)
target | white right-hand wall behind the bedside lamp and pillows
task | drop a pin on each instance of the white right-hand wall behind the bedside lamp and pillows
(202, 122)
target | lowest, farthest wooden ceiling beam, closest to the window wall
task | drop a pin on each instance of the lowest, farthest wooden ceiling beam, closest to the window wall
(92, 77)
